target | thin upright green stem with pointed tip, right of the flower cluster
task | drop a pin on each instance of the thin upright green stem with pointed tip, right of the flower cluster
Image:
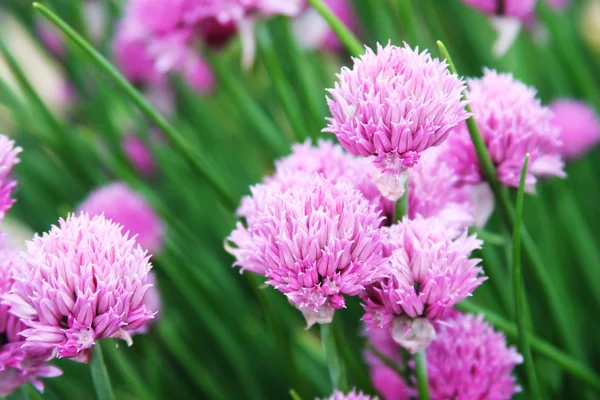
(519, 291)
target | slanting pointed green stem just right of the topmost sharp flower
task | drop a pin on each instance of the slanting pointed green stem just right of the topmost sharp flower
(541, 274)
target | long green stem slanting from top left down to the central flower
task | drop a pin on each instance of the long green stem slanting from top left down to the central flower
(177, 139)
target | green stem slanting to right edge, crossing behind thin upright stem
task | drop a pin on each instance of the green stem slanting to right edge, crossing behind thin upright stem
(568, 363)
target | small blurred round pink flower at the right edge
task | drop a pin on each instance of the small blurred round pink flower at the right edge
(579, 127)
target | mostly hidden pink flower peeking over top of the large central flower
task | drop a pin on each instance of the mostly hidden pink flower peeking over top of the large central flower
(334, 163)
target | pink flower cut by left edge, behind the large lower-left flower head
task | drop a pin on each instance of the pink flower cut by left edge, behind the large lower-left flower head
(17, 364)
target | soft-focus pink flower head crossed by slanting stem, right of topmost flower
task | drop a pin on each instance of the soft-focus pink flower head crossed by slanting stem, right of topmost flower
(513, 123)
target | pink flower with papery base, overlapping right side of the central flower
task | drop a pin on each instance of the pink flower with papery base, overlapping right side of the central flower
(428, 271)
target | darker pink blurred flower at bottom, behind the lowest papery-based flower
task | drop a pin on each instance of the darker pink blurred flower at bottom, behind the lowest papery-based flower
(467, 360)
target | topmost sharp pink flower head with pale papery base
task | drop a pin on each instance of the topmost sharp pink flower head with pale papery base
(393, 105)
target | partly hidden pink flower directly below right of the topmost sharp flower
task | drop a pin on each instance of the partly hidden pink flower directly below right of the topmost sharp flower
(435, 190)
